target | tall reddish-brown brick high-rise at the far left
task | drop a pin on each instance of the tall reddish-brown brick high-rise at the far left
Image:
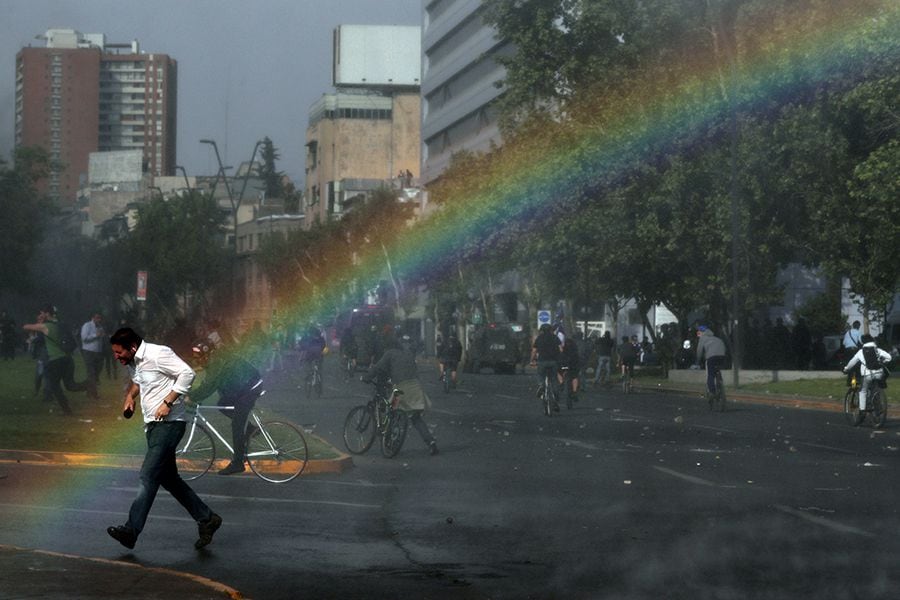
(80, 94)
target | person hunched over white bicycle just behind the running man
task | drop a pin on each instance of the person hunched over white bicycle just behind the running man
(239, 385)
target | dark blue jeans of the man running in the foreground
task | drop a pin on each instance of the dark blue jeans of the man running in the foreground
(159, 469)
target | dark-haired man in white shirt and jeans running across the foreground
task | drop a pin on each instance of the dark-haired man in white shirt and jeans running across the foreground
(161, 379)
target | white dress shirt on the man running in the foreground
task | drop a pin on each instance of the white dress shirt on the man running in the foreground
(157, 370)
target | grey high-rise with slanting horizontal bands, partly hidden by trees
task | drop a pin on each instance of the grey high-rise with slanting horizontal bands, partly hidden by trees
(459, 77)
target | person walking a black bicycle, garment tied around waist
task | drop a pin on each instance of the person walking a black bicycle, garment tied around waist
(399, 363)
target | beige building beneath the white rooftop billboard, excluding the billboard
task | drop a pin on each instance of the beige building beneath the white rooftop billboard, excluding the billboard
(357, 142)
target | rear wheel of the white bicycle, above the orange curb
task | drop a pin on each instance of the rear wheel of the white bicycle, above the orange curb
(277, 452)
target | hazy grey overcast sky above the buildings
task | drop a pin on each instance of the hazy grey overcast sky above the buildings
(246, 68)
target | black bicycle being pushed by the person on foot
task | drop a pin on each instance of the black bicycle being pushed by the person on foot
(380, 416)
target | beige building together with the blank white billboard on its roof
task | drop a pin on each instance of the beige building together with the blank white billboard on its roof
(365, 136)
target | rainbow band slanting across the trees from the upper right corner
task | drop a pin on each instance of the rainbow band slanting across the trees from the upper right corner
(641, 120)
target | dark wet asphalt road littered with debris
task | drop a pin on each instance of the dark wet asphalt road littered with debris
(645, 496)
